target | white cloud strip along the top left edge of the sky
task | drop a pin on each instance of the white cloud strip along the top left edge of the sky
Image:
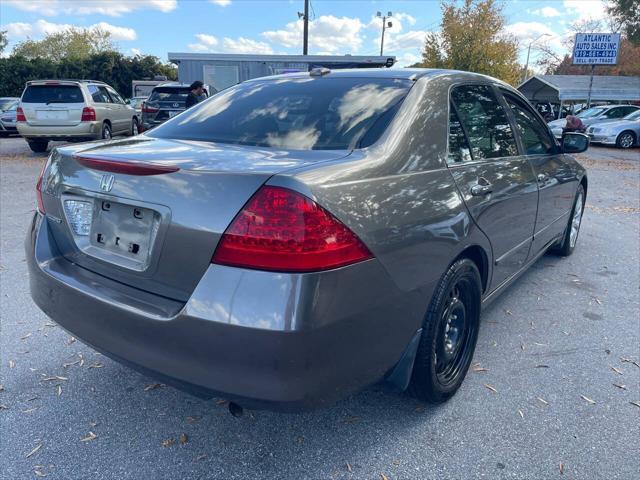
(113, 8)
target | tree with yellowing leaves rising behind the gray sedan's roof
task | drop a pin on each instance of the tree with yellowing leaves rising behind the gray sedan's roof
(471, 38)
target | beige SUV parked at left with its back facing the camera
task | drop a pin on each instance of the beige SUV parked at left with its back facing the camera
(72, 110)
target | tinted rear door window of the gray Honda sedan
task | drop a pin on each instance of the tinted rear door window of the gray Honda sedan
(485, 122)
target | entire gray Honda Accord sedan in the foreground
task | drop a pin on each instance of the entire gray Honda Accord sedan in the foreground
(293, 239)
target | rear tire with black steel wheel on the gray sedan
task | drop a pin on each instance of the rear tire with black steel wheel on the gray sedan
(439, 367)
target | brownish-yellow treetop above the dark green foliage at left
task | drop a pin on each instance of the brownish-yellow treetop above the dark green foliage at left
(72, 43)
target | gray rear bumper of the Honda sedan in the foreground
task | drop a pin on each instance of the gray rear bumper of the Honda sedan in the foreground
(265, 340)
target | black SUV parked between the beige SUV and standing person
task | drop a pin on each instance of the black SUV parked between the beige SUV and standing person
(166, 101)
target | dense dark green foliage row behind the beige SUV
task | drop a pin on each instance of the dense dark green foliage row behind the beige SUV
(111, 67)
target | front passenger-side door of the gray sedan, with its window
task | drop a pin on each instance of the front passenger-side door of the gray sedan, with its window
(555, 177)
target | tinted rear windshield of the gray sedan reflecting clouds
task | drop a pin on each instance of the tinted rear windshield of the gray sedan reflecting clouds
(294, 113)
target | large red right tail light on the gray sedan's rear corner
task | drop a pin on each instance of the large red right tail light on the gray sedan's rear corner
(282, 230)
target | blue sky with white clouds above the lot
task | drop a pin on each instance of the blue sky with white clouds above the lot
(260, 26)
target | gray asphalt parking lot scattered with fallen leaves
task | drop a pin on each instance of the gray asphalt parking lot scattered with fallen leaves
(554, 391)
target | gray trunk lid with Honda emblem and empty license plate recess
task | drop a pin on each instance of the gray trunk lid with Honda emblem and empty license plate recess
(149, 212)
